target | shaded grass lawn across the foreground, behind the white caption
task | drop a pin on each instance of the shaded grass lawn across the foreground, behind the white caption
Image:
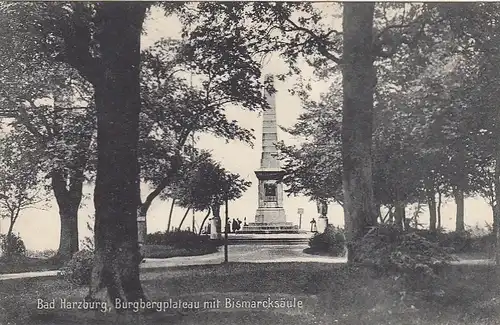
(330, 294)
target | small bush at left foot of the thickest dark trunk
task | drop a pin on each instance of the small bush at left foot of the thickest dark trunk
(79, 269)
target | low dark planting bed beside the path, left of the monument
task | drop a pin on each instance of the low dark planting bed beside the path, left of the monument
(181, 239)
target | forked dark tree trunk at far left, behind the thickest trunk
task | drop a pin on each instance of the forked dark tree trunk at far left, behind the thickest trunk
(68, 201)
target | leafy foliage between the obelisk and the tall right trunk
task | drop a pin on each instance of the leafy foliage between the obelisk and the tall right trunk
(314, 168)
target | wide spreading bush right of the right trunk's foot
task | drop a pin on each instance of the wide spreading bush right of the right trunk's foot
(391, 251)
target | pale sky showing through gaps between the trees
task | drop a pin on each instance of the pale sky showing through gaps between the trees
(39, 228)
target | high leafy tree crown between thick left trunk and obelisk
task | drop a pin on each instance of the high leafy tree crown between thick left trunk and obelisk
(174, 109)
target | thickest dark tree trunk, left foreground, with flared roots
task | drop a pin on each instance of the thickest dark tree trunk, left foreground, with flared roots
(117, 191)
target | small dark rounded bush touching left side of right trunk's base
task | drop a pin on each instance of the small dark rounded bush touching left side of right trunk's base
(332, 241)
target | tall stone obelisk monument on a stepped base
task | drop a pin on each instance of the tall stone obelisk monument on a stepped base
(270, 216)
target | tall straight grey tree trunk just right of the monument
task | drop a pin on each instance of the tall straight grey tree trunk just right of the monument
(359, 80)
